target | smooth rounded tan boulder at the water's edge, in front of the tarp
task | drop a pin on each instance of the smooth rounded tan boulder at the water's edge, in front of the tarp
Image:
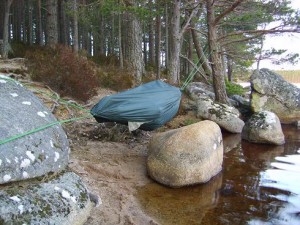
(186, 156)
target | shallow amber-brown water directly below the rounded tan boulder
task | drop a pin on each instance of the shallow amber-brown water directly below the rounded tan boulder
(180, 206)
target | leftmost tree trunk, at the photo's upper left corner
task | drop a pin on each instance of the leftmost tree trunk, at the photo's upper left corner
(5, 47)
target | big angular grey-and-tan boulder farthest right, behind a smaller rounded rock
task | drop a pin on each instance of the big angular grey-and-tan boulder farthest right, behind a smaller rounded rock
(272, 93)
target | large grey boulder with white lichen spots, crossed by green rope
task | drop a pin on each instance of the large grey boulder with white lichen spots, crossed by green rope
(34, 154)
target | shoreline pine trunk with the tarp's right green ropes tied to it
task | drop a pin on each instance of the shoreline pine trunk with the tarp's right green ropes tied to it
(215, 56)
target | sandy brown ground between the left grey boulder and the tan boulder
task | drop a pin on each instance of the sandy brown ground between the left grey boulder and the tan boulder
(110, 159)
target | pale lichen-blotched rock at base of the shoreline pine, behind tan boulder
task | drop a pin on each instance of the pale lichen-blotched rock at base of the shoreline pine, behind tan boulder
(225, 116)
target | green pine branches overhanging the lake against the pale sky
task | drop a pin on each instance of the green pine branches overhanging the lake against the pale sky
(243, 30)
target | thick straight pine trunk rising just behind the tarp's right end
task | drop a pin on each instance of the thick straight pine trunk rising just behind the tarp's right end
(175, 42)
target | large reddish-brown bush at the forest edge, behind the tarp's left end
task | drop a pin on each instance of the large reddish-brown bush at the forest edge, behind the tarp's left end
(64, 71)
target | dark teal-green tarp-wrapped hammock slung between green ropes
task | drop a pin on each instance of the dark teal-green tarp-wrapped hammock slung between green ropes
(147, 107)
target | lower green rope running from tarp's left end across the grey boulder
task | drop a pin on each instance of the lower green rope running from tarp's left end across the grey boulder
(12, 138)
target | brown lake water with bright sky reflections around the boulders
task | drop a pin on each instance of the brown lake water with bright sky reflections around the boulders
(259, 184)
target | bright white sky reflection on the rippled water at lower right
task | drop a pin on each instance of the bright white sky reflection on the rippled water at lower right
(284, 176)
